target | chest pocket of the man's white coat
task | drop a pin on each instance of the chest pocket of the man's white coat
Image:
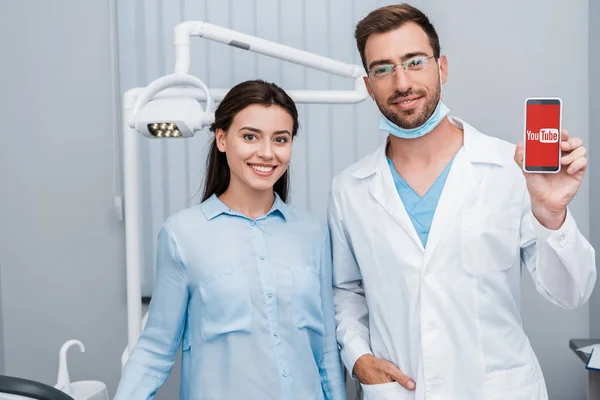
(490, 241)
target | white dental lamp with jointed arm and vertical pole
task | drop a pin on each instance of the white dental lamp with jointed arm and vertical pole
(170, 107)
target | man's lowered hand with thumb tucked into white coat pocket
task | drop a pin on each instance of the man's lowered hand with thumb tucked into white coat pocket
(373, 371)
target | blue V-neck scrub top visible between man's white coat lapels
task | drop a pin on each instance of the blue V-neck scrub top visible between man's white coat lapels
(420, 209)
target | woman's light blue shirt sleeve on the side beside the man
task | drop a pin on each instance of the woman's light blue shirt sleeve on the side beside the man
(330, 366)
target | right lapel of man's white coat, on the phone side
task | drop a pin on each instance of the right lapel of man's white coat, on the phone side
(460, 184)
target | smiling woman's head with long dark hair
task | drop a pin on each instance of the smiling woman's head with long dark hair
(254, 128)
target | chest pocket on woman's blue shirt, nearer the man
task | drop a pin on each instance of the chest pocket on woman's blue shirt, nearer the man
(306, 301)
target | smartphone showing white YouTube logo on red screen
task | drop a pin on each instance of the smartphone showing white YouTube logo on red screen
(543, 124)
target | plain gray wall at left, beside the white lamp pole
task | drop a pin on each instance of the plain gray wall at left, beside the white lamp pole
(61, 246)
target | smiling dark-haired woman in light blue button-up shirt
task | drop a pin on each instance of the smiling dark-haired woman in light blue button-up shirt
(243, 281)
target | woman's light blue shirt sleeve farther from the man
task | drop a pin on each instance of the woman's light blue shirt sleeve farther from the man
(153, 356)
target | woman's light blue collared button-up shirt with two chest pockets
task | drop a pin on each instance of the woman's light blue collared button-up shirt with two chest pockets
(250, 301)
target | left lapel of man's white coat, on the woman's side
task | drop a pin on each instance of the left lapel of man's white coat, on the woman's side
(383, 189)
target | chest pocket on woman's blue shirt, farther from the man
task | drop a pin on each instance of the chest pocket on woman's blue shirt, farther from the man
(227, 307)
